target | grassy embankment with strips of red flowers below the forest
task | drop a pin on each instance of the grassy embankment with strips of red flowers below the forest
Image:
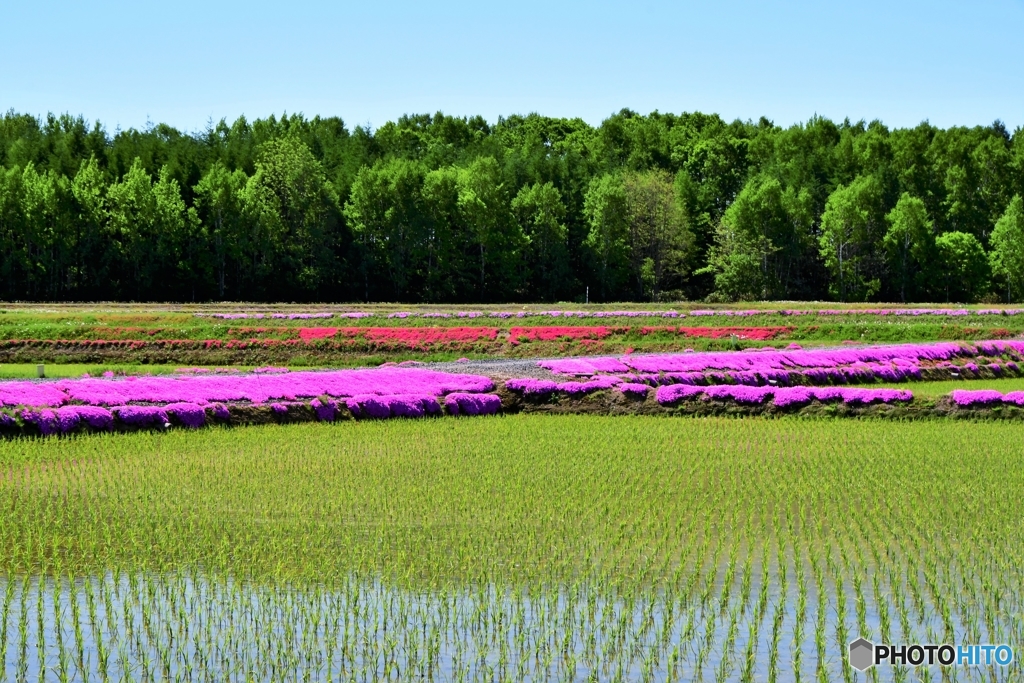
(154, 336)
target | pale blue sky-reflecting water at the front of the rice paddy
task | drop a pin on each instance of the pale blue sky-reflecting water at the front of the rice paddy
(192, 628)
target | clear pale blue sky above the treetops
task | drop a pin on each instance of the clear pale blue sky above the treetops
(184, 63)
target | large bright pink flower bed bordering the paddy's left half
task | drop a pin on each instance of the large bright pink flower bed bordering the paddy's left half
(156, 402)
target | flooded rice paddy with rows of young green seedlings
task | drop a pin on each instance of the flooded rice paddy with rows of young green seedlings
(508, 549)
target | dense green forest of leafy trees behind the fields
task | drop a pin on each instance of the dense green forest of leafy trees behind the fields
(447, 209)
